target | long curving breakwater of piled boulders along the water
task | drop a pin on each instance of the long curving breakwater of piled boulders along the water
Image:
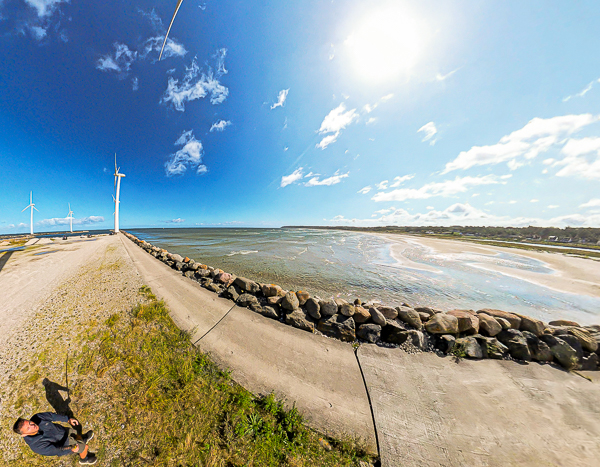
(485, 333)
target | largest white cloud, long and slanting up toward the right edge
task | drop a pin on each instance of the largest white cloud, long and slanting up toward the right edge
(536, 137)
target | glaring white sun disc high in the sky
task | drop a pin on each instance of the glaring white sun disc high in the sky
(387, 44)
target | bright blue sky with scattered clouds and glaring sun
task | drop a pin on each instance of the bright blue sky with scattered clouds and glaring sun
(304, 113)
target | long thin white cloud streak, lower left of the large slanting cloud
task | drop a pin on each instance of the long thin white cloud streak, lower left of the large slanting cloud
(445, 189)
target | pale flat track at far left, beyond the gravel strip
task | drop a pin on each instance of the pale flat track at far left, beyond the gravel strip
(27, 276)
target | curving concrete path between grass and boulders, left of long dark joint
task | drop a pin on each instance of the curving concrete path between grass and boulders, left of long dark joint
(320, 375)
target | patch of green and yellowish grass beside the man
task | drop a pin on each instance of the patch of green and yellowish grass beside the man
(154, 399)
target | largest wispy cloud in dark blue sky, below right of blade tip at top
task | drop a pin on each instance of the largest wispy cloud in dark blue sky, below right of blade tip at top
(191, 89)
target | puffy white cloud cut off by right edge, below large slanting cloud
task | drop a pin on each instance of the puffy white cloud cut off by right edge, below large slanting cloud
(582, 159)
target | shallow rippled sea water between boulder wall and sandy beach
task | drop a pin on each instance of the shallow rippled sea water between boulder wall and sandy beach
(350, 265)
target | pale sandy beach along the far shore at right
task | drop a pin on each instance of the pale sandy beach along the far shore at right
(569, 274)
